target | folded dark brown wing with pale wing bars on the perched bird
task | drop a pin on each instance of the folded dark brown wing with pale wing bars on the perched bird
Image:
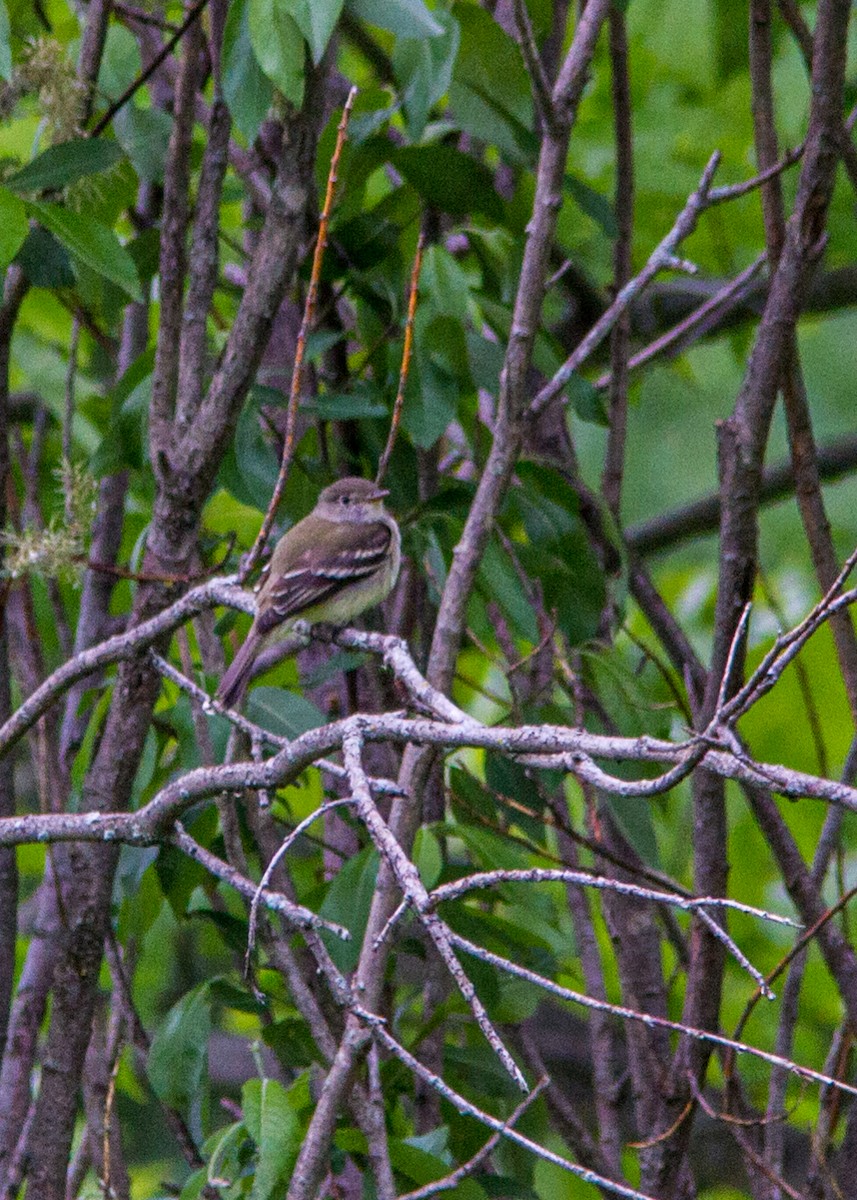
(352, 554)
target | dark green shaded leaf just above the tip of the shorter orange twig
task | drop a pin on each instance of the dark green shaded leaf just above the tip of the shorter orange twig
(450, 181)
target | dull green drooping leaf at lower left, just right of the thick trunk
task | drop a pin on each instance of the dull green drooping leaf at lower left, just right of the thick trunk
(178, 1057)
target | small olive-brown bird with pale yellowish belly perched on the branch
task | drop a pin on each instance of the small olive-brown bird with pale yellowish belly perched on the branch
(334, 565)
